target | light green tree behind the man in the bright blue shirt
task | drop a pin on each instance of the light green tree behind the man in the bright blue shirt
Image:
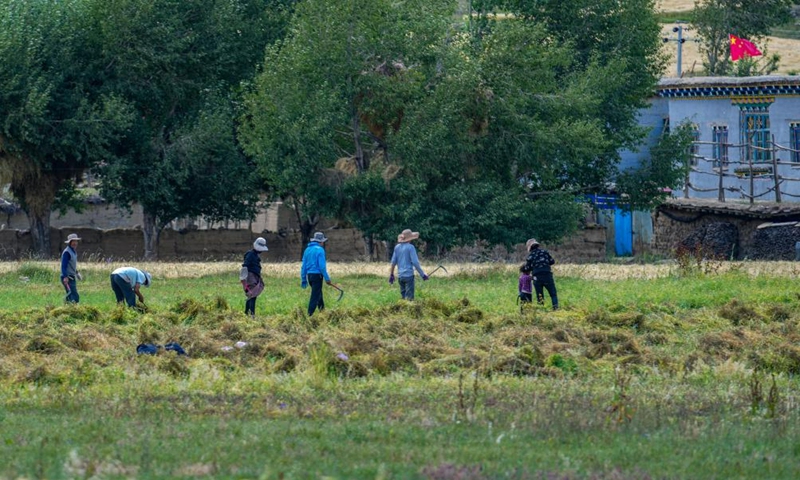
(321, 111)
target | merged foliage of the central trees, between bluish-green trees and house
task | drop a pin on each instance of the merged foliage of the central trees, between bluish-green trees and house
(480, 131)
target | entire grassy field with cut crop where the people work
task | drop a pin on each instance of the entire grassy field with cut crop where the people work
(646, 372)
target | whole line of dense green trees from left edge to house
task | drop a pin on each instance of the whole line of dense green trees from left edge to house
(384, 114)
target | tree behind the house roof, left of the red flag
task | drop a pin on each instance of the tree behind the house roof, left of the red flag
(715, 20)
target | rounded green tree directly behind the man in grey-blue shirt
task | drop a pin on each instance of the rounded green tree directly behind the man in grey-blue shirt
(495, 152)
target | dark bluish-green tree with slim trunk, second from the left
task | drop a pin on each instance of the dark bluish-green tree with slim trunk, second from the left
(178, 63)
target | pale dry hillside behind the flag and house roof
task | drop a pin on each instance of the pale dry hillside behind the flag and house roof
(787, 48)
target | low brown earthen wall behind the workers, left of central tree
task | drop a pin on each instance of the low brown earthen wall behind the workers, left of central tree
(344, 244)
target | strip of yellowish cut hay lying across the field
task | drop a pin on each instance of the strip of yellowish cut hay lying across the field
(80, 345)
